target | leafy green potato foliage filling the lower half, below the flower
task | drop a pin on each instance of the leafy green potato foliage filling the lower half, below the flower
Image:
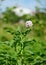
(22, 51)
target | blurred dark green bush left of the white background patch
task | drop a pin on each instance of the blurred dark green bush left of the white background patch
(10, 16)
